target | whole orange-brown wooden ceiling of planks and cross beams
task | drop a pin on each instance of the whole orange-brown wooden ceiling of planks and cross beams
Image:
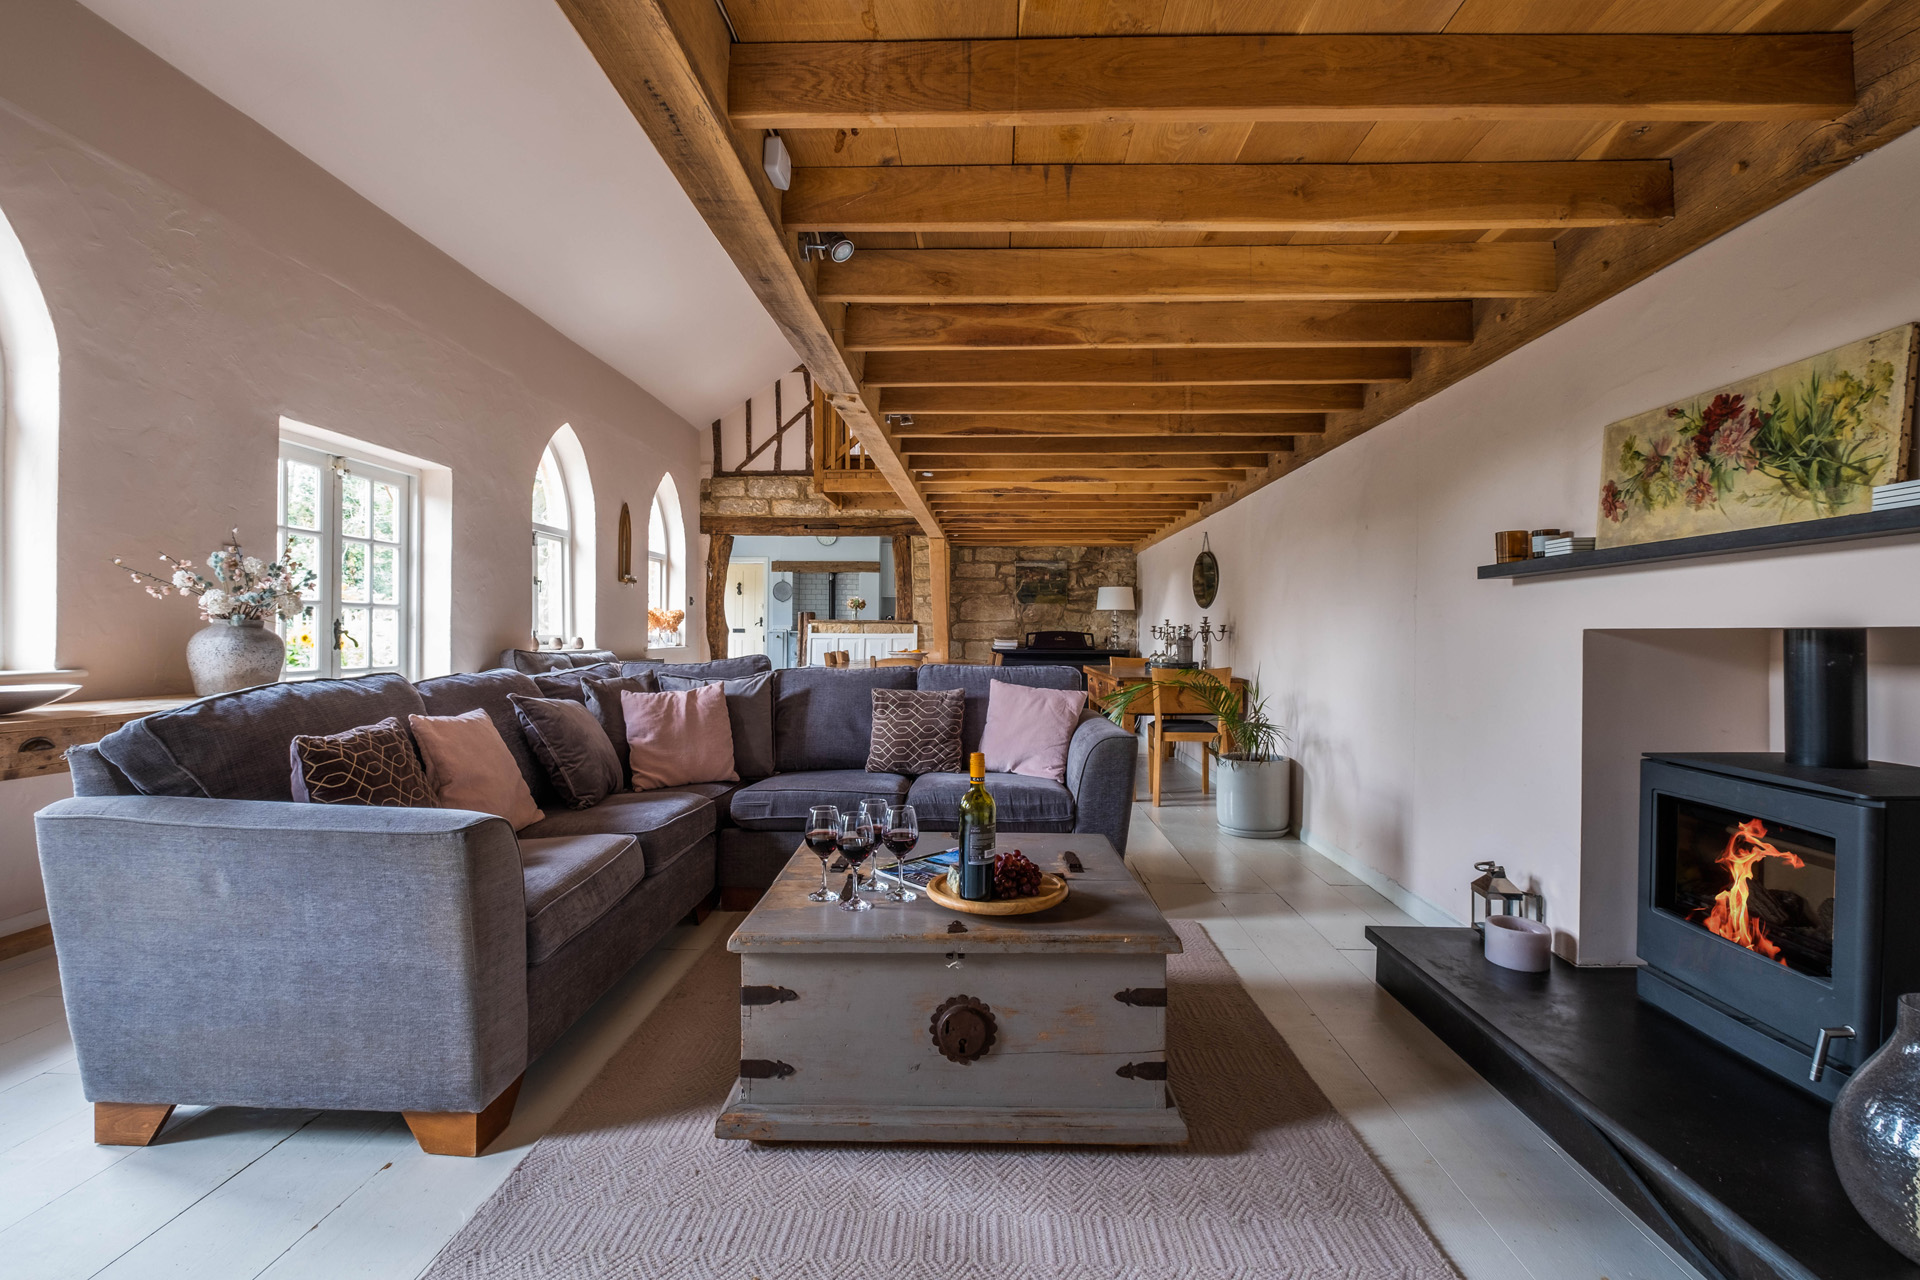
(1115, 258)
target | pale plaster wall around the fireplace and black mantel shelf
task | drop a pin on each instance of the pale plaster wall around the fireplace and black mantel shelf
(1439, 719)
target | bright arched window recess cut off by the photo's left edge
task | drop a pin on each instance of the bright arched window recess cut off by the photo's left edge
(30, 465)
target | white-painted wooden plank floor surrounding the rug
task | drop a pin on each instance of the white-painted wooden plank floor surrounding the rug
(231, 1195)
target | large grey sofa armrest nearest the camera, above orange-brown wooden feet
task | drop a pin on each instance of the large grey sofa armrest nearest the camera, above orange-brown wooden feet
(274, 955)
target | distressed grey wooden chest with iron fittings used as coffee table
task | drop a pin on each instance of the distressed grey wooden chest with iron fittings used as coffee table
(917, 1024)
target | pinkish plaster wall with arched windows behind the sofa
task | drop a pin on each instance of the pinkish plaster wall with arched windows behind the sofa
(204, 281)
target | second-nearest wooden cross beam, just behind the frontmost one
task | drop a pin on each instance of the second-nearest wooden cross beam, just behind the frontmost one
(1236, 199)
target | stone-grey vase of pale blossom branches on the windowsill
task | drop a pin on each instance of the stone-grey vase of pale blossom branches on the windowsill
(235, 650)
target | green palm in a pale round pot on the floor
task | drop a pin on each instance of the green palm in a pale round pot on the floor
(1255, 776)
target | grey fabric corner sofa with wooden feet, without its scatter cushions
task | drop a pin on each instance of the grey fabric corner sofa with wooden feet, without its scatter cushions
(224, 945)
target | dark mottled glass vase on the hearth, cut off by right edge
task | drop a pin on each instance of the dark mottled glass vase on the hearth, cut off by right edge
(1877, 1135)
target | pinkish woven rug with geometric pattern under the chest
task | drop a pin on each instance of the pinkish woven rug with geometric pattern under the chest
(633, 1183)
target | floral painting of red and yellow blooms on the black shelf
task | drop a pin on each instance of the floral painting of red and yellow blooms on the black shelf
(1800, 442)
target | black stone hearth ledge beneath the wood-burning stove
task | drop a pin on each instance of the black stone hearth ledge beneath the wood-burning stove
(1719, 1158)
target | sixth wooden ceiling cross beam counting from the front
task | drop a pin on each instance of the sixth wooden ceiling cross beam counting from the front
(930, 402)
